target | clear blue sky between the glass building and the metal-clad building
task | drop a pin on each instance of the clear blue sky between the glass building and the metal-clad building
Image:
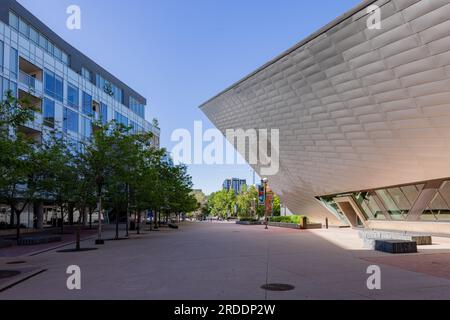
(180, 53)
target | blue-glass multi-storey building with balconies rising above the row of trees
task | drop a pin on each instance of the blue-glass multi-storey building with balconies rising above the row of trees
(69, 90)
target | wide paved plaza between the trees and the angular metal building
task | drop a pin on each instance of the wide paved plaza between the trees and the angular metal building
(225, 261)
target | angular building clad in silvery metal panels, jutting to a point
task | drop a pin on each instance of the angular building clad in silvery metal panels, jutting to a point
(364, 118)
